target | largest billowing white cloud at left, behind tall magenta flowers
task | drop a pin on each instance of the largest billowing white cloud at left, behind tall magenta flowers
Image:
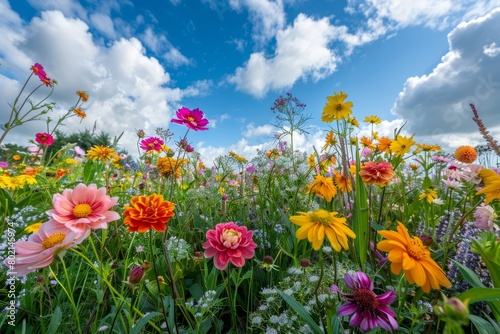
(128, 90)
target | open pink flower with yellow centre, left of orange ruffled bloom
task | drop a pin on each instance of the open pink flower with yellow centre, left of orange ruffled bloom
(83, 208)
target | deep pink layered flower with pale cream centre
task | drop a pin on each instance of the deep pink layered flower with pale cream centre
(229, 243)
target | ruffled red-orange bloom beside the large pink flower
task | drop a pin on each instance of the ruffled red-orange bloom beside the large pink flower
(146, 212)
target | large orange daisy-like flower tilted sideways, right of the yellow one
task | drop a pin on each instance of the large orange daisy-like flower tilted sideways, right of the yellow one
(410, 255)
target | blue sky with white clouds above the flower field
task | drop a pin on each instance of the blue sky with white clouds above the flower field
(419, 62)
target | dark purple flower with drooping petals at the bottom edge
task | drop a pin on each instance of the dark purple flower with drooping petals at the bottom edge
(368, 309)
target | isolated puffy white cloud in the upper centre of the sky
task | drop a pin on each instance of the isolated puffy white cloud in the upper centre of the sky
(297, 56)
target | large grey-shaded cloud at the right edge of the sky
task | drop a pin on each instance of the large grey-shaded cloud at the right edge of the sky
(437, 104)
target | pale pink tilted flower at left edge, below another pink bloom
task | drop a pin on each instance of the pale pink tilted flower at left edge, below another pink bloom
(41, 247)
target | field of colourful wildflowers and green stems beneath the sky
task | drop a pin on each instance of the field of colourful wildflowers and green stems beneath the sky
(366, 234)
